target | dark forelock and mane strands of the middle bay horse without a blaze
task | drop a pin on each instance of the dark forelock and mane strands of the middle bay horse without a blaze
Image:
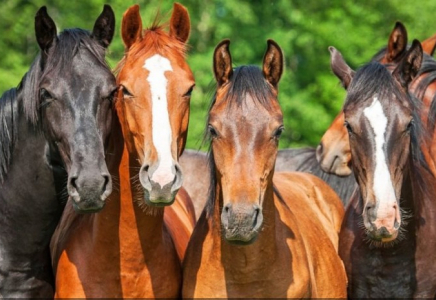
(244, 80)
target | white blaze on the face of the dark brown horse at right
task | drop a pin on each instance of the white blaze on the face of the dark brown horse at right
(383, 186)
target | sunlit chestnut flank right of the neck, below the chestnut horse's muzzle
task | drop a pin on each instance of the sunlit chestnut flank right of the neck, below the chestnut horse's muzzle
(179, 219)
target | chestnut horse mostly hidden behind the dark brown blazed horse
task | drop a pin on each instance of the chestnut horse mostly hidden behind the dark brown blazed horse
(333, 152)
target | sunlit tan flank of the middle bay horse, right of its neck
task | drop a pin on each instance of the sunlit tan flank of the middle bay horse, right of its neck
(317, 213)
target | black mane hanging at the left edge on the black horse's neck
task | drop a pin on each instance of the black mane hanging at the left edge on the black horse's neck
(8, 130)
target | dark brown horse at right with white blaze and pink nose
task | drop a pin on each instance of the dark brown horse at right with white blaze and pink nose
(386, 240)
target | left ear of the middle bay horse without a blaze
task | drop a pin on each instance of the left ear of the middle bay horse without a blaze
(222, 62)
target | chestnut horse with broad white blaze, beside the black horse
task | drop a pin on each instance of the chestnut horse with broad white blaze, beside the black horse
(133, 248)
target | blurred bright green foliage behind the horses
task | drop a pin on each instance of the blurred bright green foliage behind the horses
(309, 93)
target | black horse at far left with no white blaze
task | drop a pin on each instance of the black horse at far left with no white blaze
(42, 155)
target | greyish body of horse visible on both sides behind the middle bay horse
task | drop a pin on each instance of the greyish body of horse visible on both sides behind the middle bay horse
(196, 170)
